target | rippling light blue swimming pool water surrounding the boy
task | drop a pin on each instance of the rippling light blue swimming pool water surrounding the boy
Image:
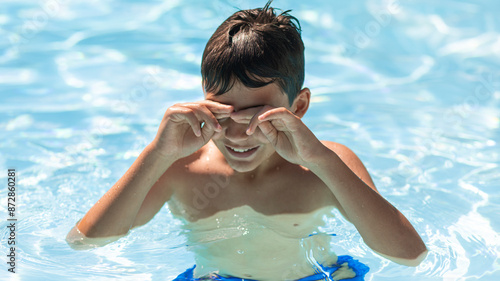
(413, 87)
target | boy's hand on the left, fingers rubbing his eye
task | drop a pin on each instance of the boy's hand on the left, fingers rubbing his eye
(186, 127)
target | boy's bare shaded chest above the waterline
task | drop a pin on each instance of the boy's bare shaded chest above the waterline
(202, 195)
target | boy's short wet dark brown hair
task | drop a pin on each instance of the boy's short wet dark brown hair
(256, 47)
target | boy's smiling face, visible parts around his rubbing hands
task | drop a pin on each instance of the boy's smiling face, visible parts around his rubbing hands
(242, 152)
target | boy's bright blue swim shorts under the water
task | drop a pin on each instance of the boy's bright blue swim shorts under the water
(359, 268)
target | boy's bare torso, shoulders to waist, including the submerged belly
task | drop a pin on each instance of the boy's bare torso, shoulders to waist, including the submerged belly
(262, 218)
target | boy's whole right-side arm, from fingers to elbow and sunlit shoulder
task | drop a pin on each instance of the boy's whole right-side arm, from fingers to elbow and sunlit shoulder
(382, 226)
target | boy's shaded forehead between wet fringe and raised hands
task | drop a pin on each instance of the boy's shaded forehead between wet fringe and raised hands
(242, 97)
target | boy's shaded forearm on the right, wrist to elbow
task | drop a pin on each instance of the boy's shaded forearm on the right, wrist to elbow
(381, 225)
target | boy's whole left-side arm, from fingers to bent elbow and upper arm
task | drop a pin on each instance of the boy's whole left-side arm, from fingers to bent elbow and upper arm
(135, 198)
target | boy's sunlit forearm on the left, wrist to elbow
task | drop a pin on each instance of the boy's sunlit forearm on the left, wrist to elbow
(115, 212)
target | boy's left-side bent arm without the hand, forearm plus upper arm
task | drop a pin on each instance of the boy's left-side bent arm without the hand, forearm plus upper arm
(133, 200)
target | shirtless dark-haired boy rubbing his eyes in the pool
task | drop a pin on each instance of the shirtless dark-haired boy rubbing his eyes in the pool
(246, 174)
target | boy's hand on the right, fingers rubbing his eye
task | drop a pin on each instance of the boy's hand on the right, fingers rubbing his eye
(290, 137)
